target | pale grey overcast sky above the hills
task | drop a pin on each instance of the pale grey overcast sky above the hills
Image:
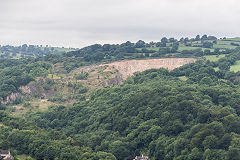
(77, 23)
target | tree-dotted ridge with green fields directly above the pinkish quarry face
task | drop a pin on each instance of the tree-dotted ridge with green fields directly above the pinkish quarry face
(166, 47)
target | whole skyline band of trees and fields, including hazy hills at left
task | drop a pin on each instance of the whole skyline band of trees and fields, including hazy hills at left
(165, 47)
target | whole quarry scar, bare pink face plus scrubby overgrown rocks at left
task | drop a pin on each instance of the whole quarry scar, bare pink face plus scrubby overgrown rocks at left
(59, 88)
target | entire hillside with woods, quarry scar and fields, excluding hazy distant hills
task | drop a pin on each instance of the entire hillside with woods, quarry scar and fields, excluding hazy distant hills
(173, 99)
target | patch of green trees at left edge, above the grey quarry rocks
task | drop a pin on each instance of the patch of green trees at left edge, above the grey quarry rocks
(16, 73)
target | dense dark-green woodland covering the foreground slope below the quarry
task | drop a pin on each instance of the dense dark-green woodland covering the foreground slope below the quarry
(153, 113)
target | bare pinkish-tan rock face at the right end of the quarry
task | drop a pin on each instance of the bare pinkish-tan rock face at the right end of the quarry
(128, 67)
